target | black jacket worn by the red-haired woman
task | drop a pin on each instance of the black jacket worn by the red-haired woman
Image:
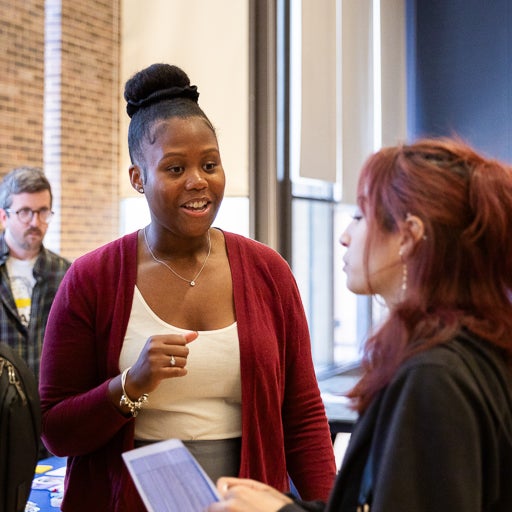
(440, 435)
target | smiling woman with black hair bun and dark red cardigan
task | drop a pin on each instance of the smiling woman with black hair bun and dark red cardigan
(180, 330)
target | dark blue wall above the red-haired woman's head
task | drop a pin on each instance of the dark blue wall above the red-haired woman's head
(459, 59)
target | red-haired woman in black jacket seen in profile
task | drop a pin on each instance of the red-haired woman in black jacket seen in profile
(432, 238)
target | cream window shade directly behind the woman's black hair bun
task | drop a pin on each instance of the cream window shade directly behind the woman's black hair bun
(209, 40)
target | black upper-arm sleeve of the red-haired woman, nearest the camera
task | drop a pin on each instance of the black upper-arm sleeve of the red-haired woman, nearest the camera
(429, 444)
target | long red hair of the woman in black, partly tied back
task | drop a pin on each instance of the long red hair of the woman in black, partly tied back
(460, 272)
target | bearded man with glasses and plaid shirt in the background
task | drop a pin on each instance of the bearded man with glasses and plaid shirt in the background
(29, 273)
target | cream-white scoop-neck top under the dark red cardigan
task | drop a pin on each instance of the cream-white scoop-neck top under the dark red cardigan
(205, 404)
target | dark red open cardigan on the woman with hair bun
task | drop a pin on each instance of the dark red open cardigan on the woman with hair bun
(284, 428)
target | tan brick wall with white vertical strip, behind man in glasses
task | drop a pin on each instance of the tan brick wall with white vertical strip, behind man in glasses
(71, 128)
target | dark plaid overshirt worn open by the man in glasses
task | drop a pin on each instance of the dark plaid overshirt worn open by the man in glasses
(49, 269)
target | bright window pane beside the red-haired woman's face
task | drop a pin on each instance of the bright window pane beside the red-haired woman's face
(336, 316)
